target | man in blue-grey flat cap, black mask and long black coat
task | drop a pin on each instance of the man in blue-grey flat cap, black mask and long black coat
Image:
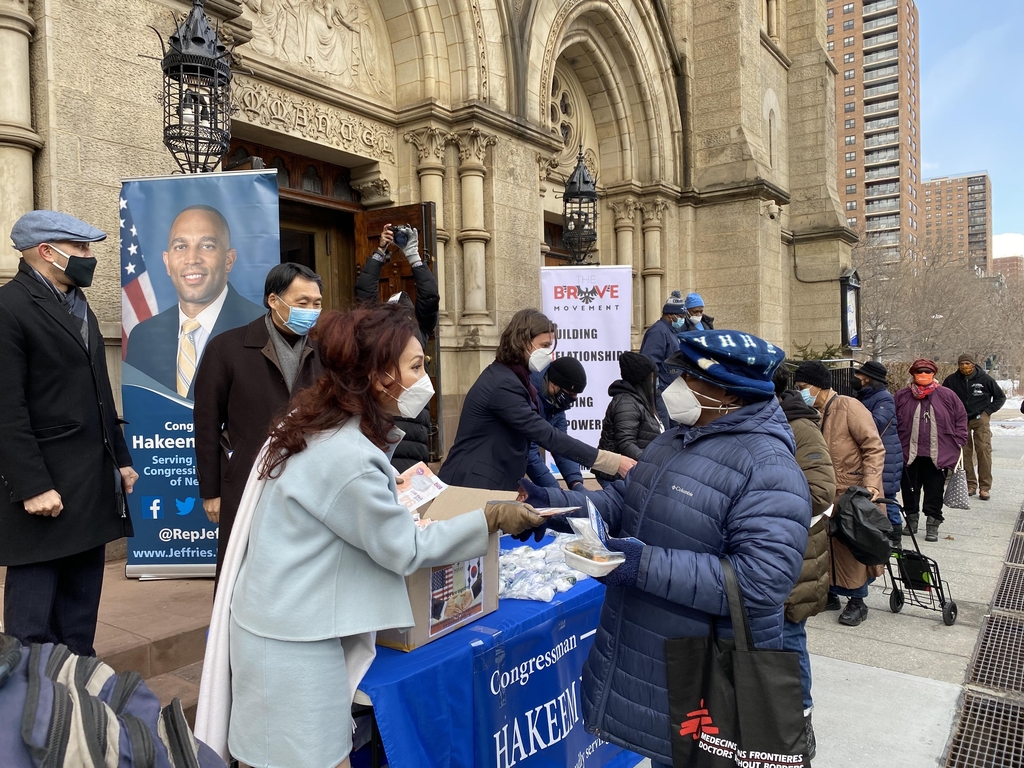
(64, 459)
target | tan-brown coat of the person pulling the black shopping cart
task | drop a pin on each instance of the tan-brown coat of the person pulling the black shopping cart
(859, 458)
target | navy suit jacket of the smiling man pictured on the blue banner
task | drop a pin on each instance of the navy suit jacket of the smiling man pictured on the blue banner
(153, 347)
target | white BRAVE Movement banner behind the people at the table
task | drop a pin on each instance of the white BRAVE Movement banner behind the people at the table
(593, 309)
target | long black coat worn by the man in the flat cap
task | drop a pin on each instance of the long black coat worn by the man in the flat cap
(60, 430)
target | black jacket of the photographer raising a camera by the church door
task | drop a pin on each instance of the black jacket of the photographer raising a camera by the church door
(415, 447)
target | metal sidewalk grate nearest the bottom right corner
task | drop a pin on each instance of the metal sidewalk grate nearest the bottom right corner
(989, 736)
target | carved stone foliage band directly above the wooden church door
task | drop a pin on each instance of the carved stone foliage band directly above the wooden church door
(263, 105)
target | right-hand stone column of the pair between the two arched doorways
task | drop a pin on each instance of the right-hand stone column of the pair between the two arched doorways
(474, 146)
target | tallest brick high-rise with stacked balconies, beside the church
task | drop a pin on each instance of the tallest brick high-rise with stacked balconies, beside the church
(876, 49)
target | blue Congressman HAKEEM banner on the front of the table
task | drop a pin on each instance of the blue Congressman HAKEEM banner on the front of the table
(529, 700)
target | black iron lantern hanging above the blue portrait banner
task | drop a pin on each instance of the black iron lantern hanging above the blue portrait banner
(197, 94)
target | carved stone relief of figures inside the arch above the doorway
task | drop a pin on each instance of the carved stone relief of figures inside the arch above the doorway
(337, 39)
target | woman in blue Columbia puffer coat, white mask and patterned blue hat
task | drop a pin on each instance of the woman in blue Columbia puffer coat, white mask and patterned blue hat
(728, 486)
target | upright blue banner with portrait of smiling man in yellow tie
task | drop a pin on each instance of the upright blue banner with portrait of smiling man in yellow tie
(195, 253)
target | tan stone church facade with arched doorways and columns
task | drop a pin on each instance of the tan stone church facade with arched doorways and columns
(709, 124)
